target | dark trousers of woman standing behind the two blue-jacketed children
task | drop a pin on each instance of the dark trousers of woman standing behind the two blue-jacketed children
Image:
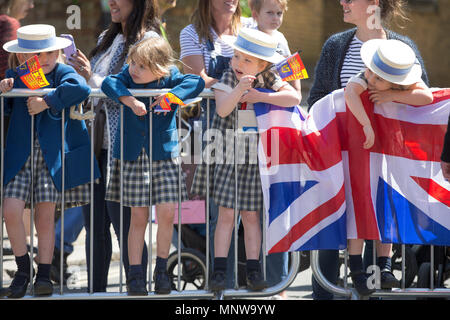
(105, 213)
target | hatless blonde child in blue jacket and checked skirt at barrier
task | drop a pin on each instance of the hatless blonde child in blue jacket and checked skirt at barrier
(150, 66)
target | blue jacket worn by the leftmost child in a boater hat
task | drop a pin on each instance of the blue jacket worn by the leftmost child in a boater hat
(71, 89)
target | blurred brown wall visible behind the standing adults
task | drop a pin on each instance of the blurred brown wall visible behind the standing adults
(307, 24)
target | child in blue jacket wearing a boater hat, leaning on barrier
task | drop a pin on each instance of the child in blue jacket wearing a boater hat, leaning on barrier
(70, 89)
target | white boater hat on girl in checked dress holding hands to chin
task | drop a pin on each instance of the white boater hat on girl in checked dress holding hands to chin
(256, 43)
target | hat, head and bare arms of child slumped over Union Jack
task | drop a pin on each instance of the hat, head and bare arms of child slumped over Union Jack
(392, 74)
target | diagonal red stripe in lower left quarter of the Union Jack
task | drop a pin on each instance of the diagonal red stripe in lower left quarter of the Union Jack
(309, 221)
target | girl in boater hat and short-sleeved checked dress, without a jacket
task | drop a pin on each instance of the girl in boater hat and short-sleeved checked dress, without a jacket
(253, 52)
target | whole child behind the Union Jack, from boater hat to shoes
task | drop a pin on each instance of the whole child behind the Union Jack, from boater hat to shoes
(392, 73)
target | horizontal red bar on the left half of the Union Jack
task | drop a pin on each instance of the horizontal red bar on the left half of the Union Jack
(319, 150)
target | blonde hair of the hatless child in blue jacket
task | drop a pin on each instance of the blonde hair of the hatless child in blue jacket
(156, 53)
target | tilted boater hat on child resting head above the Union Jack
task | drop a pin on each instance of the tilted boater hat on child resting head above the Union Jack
(392, 60)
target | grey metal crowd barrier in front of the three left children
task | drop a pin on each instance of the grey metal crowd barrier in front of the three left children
(175, 294)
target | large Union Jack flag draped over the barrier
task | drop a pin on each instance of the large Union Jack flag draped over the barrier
(321, 187)
